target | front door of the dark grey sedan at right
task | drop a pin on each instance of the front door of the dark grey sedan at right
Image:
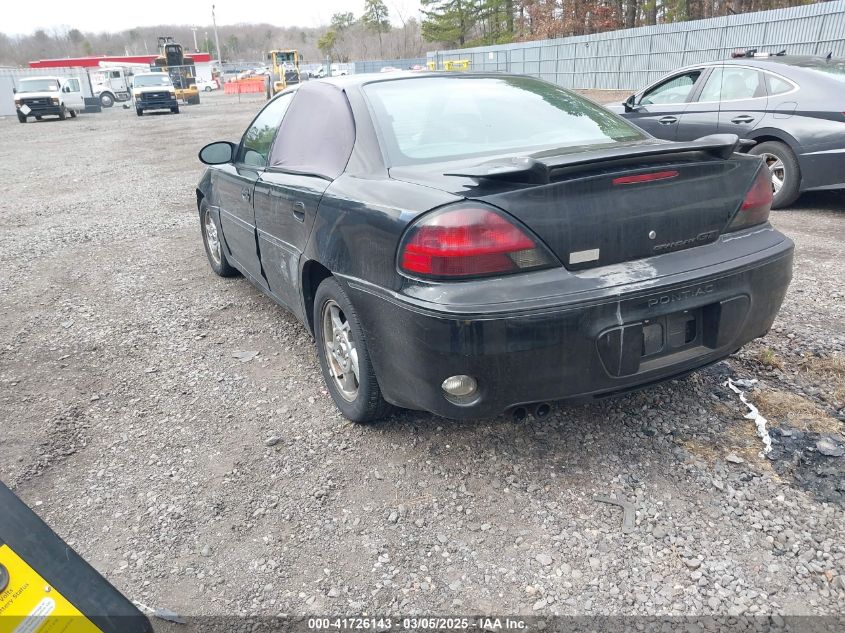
(660, 108)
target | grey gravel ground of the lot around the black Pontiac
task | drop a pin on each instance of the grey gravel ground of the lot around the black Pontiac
(207, 485)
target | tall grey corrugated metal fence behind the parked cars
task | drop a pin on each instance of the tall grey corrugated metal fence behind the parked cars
(630, 59)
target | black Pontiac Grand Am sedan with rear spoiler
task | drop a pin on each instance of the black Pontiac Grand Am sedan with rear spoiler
(477, 244)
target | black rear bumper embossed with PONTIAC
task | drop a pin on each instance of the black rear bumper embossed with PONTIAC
(570, 349)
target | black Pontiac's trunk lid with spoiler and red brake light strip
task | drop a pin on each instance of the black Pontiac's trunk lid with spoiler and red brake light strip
(610, 205)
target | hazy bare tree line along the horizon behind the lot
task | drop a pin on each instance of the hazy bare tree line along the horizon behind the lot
(383, 33)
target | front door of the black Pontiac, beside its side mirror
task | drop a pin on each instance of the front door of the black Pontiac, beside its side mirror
(234, 185)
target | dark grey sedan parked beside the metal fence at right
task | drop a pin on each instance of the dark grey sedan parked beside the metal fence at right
(792, 107)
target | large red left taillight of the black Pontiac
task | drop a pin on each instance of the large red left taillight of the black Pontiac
(469, 242)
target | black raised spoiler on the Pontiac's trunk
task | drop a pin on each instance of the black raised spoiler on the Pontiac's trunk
(536, 170)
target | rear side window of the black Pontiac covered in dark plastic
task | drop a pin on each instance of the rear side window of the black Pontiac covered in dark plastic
(318, 133)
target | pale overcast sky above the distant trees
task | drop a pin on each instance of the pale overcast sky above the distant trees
(21, 18)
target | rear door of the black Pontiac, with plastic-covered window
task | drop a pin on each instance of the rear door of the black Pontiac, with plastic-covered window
(312, 148)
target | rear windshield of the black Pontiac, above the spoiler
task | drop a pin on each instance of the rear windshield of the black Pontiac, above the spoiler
(441, 118)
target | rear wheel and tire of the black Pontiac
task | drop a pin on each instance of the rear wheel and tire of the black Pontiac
(357, 396)
